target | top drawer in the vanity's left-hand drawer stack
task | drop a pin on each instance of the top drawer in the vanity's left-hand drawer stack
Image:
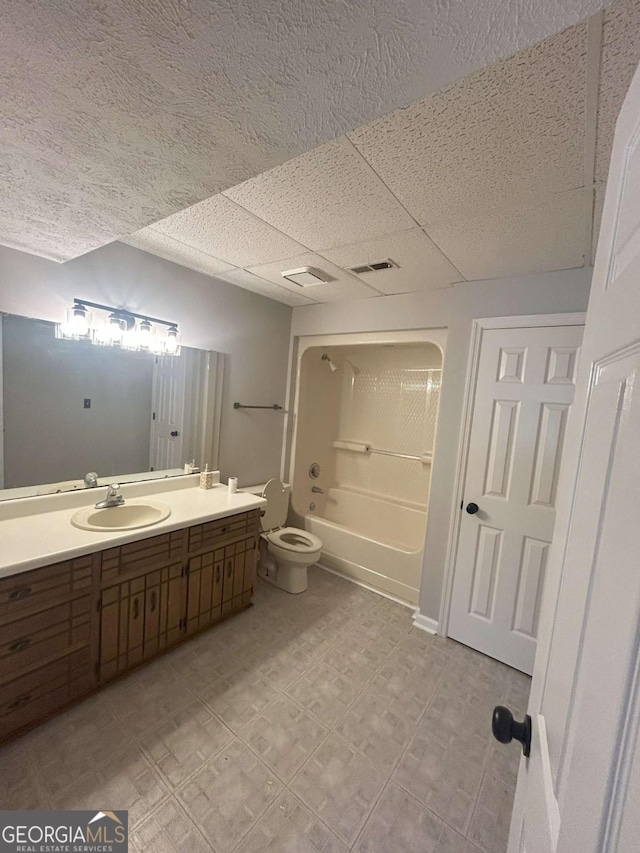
(40, 589)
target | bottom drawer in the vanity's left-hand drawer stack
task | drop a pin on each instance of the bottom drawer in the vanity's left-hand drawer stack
(31, 697)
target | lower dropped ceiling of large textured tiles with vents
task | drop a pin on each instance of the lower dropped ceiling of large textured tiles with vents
(500, 173)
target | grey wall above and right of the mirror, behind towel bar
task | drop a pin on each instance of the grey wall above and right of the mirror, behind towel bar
(251, 330)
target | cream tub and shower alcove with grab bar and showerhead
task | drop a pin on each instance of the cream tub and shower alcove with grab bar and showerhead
(367, 416)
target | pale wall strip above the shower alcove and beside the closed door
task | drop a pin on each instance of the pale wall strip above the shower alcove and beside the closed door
(452, 308)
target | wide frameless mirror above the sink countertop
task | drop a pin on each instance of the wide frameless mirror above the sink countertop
(68, 407)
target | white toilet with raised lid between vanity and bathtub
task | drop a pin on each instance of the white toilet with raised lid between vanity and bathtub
(288, 550)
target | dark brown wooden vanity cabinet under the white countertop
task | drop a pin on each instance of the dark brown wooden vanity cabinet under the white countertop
(66, 629)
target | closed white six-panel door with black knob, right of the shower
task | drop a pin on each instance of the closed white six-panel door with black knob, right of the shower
(524, 388)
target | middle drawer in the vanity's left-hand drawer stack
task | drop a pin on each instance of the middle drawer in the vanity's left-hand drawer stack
(26, 642)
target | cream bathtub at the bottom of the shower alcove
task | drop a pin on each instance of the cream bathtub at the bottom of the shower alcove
(375, 542)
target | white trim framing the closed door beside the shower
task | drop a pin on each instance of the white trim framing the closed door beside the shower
(478, 328)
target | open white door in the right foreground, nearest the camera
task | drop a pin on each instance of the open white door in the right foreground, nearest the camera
(579, 791)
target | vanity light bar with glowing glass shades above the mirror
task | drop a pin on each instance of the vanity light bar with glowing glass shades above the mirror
(121, 328)
